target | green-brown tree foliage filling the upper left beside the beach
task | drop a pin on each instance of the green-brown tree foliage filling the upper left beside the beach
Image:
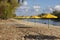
(7, 8)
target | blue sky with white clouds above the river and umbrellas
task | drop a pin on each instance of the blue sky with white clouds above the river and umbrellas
(36, 7)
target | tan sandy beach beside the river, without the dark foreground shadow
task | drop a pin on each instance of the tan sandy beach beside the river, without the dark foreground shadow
(13, 29)
